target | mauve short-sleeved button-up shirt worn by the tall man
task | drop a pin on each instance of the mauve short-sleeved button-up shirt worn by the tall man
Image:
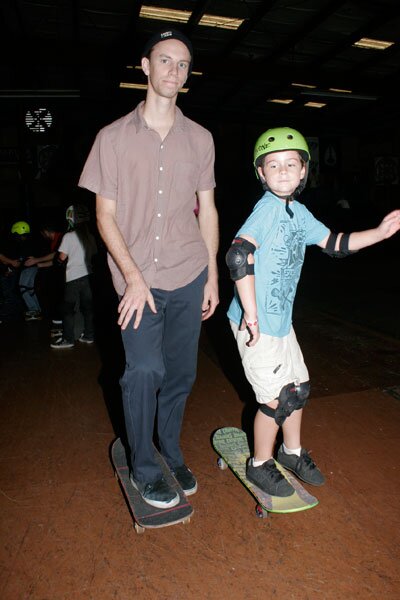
(154, 185)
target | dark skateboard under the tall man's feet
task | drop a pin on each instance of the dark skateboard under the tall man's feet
(144, 515)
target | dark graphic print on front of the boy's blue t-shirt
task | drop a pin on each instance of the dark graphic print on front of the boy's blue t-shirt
(287, 257)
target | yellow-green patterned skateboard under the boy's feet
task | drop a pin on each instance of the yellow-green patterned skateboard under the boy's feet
(232, 446)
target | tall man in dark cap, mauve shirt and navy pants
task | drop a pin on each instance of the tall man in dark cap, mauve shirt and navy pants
(148, 170)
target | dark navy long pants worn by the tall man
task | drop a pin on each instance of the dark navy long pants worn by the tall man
(160, 369)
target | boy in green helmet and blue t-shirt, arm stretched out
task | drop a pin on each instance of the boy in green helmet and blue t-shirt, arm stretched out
(265, 261)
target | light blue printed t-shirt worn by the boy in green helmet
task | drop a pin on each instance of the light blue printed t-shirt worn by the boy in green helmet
(278, 260)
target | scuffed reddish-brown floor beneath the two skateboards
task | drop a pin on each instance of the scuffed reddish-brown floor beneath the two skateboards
(66, 533)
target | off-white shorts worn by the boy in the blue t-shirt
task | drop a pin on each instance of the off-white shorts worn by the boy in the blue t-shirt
(271, 364)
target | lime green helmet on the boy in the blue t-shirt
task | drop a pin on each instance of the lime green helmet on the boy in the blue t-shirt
(279, 140)
